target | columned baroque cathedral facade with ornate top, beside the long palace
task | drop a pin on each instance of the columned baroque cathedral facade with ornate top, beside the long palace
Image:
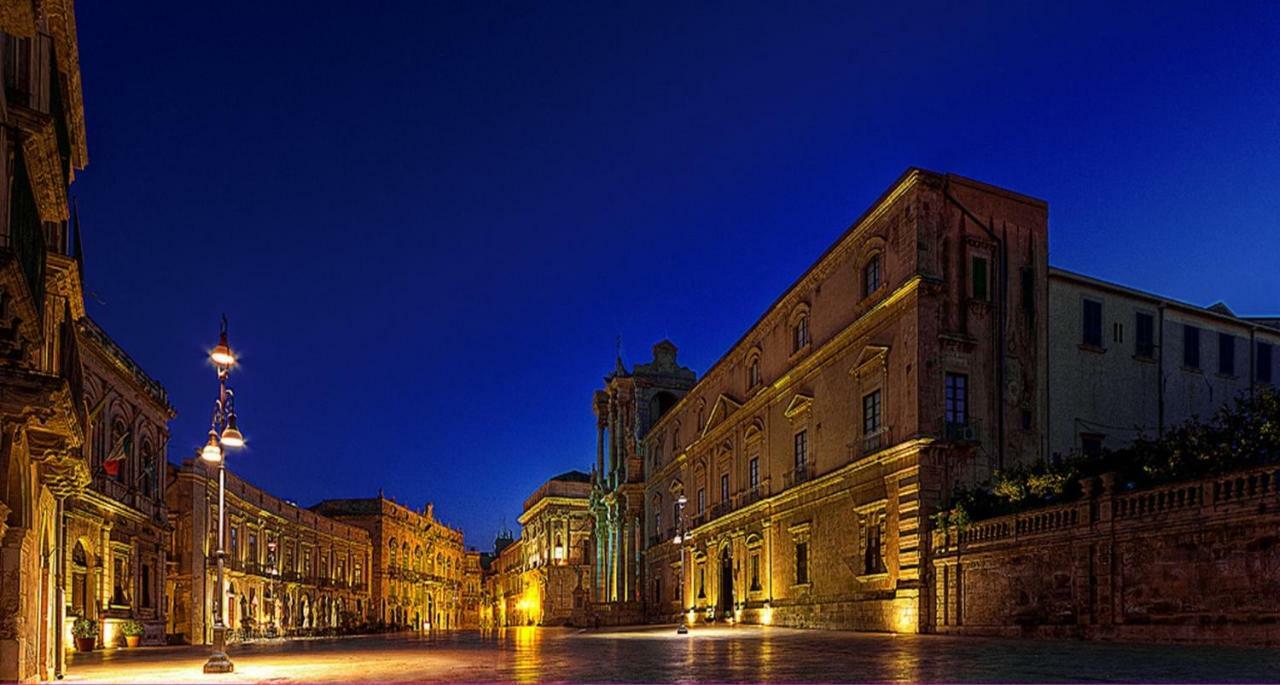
(625, 410)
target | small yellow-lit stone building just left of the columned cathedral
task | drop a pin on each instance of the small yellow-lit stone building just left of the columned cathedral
(557, 532)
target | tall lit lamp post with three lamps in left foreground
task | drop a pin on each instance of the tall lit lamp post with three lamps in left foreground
(223, 433)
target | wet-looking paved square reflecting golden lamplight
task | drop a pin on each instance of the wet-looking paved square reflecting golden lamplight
(707, 655)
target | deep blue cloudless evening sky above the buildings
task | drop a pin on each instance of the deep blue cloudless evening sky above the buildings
(429, 222)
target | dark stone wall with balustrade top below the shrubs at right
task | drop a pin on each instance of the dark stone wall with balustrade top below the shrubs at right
(1196, 561)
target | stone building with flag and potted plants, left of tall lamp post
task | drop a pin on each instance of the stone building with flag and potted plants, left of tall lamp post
(118, 531)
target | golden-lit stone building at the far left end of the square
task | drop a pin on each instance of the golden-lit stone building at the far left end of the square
(418, 563)
